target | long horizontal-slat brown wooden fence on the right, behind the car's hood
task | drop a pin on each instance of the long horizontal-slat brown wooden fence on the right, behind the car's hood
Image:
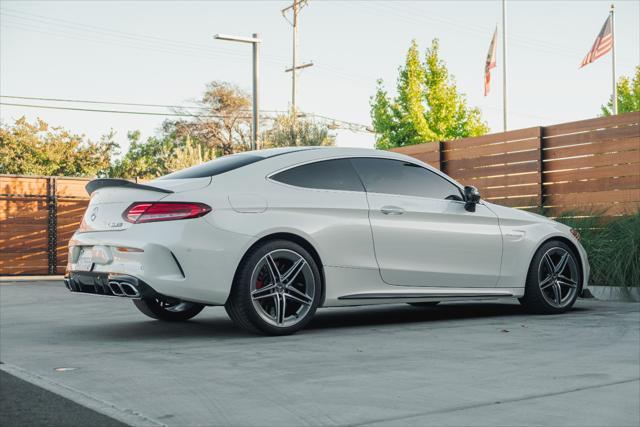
(591, 165)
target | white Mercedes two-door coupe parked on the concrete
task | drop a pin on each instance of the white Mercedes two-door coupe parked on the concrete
(274, 234)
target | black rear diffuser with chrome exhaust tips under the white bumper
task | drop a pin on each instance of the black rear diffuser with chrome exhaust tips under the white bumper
(108, 284)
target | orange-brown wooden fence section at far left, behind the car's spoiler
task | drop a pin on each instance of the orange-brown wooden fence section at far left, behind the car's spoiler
(38, 216)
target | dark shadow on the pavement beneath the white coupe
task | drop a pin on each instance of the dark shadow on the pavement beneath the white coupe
(330, 319)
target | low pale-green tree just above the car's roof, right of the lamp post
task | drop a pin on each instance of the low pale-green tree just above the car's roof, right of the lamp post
(289, 130)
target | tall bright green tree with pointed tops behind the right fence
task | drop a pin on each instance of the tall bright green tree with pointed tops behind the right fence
(427, 107)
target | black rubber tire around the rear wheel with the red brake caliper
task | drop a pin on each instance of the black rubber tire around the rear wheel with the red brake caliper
(242, 309)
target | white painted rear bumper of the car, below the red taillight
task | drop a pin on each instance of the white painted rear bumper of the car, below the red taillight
(188, 260)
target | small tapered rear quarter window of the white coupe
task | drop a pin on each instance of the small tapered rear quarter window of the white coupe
(326, 174)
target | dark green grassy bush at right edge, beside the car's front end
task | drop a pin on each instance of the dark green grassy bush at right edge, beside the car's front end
(613, 245)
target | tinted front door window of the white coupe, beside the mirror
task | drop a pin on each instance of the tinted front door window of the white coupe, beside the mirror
(404, 178)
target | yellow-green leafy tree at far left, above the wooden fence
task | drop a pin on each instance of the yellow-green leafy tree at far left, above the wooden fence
(39, 149)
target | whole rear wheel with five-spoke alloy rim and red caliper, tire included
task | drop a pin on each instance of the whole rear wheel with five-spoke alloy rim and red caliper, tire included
(277, 289)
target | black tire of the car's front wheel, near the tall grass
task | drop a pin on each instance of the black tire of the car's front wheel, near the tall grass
(538, 301)
